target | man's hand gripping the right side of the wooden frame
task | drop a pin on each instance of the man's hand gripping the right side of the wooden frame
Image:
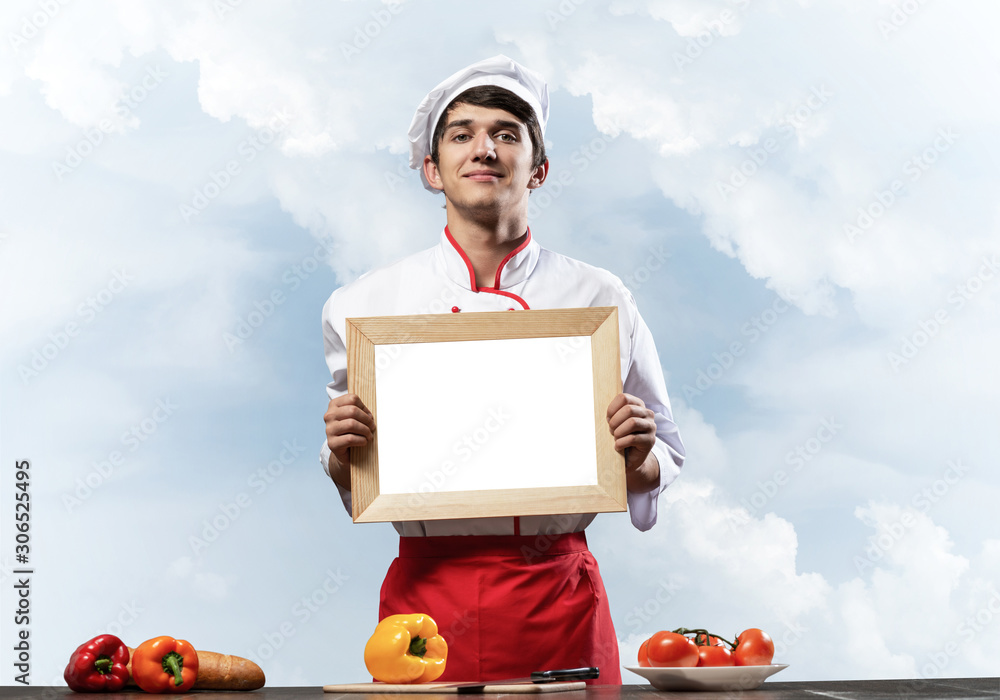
(634, 428)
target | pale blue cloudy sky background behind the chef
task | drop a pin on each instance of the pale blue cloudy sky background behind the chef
(801, 196)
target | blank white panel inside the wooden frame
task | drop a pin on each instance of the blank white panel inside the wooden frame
(485, 414)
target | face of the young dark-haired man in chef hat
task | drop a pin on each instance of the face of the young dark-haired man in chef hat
(484, 161)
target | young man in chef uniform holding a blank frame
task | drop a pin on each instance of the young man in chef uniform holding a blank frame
(477, 138)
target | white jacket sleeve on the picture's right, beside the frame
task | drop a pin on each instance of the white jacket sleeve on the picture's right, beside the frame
(644, 379)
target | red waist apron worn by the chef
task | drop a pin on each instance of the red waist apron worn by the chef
(505, 607)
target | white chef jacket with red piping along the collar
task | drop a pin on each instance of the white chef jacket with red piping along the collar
(441, 280)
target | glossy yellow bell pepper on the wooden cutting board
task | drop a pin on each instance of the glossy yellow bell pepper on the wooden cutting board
(406, 649)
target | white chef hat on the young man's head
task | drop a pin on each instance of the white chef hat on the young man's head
(499, 71)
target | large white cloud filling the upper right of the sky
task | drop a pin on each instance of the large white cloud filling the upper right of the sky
(711, 115)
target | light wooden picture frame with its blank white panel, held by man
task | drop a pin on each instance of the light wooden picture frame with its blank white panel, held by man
(520, 398)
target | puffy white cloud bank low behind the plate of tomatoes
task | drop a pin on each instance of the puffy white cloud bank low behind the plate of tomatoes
(864, 627)
